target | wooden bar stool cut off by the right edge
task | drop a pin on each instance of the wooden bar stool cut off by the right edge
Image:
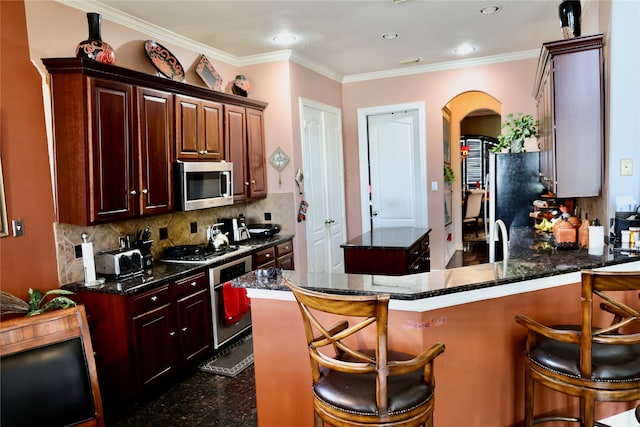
(590, 362)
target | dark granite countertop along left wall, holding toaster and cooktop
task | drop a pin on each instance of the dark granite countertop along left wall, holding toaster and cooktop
(164, 271)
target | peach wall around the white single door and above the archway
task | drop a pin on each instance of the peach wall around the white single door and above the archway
(510, 83)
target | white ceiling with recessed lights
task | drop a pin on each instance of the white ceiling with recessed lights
(344, 38)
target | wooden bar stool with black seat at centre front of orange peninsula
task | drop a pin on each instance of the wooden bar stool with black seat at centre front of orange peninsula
(363, 387)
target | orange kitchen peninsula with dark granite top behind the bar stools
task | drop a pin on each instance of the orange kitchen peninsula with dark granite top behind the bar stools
(471, 309)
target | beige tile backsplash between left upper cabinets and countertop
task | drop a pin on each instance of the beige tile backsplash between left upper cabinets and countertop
(178, 224)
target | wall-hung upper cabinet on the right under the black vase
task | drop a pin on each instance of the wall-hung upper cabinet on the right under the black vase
(569, 91)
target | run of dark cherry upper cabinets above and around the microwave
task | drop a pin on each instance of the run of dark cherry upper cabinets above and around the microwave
(117, 133)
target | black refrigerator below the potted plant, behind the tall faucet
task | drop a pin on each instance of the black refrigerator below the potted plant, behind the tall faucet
(514, 184)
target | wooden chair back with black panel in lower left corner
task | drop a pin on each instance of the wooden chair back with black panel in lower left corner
(47, 371)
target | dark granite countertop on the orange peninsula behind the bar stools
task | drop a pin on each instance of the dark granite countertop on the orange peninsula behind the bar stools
(528, 260)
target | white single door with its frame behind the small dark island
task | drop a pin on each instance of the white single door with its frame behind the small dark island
(393, 167)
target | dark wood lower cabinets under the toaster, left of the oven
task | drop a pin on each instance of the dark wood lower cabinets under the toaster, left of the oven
(144, 340)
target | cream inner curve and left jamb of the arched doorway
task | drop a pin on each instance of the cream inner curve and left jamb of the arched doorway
(466, 104)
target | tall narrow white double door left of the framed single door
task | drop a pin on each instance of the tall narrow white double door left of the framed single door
(324, 186)
